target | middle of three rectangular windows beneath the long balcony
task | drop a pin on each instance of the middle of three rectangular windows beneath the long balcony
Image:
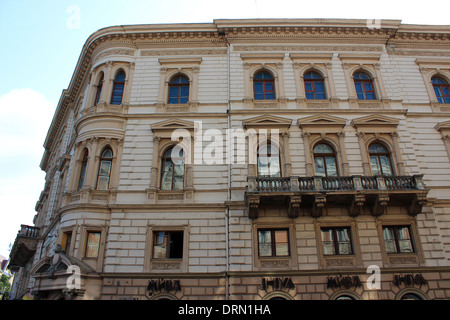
(336, 241)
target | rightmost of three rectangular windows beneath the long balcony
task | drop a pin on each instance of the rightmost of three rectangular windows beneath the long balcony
(398, 239)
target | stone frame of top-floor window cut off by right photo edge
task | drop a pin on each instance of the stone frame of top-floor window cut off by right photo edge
(429, 68)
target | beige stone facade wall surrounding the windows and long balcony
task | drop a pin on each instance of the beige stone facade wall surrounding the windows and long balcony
(220, 237)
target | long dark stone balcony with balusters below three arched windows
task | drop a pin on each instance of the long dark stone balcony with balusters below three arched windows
(353, 192)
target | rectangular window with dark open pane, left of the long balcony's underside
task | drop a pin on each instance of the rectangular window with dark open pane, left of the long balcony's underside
(168, 244)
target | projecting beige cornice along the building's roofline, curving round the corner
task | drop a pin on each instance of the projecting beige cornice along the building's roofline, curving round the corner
(221, 32)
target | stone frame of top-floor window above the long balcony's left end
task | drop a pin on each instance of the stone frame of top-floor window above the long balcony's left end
(254, 63)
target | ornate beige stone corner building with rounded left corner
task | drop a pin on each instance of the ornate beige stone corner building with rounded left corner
(315, 160)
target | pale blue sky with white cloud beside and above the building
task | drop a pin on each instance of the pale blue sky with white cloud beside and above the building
(41, 41)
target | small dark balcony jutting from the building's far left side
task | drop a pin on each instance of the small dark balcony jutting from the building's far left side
(24, 247)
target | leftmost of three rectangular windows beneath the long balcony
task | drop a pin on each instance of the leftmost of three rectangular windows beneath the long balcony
(273, 242)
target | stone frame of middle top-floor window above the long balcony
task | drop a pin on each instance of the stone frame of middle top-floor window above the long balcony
(320, 63)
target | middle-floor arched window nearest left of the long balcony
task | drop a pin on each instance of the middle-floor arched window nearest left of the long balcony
(172, 170)
